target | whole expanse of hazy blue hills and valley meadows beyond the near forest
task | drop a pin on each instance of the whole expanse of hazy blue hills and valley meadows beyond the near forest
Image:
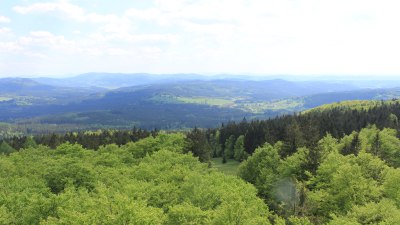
(172, 101)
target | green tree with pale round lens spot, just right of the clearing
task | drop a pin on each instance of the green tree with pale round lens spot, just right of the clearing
(276, 179)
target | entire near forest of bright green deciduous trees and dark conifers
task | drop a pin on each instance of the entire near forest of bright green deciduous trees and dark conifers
(336, 164)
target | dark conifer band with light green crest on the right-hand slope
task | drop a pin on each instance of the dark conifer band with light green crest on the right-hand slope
(306, 128)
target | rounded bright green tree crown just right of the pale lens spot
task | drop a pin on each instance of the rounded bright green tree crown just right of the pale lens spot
(341, 183)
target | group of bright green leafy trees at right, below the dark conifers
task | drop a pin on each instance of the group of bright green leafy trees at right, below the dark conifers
(347, 181)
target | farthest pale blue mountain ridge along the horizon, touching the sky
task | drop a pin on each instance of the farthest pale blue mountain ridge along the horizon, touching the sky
(118, 80)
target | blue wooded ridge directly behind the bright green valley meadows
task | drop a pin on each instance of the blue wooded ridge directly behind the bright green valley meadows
(262, 90)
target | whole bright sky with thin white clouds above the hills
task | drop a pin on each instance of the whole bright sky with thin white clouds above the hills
(257, 37)
